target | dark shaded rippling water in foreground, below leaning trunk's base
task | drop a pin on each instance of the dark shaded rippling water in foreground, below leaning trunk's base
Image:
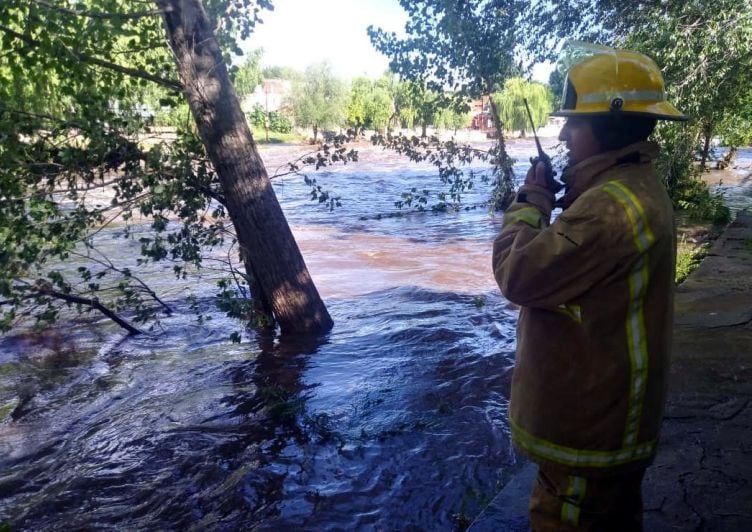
(393, 420)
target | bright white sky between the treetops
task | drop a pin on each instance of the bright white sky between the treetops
(299, 33)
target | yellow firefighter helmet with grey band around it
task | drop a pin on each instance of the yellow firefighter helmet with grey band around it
(604, 80)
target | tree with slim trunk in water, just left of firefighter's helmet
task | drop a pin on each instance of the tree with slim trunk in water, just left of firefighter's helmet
(467, 47)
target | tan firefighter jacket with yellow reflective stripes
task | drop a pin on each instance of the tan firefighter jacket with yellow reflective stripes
(596, 294)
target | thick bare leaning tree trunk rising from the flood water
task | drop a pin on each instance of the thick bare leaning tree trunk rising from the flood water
(280, 282)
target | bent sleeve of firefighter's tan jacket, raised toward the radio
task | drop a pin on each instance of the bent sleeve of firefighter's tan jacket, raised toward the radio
(540, 265)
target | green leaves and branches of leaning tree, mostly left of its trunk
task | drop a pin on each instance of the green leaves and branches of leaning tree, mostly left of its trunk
(77, 157)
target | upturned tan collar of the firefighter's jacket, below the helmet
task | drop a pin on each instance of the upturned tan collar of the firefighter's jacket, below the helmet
(585, 174)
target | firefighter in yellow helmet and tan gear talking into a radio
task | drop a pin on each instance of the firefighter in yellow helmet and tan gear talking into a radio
(595, 290)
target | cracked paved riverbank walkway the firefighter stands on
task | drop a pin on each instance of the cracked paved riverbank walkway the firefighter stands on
(701, 478)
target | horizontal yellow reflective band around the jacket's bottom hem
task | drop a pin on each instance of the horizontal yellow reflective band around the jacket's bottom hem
(579, 457)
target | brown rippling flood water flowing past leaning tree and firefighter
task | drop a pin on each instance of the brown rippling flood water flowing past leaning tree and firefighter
(394, 420)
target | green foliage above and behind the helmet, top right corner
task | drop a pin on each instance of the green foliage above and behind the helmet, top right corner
(702, 48)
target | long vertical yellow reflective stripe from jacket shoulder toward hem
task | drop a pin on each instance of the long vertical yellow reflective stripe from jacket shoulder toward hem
(635, 326)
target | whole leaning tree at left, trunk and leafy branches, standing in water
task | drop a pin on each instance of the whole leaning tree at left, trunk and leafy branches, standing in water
(73, 160)
